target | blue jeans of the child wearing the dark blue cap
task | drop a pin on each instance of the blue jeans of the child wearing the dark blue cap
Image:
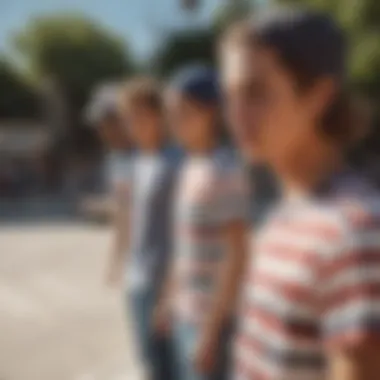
(186, 337)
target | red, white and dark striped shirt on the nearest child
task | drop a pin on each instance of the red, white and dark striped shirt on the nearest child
(313, 282)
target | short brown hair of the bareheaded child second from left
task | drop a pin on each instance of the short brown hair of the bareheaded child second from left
(142, 91)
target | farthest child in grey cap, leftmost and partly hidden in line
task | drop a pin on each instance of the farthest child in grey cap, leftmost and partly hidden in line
(102, 113)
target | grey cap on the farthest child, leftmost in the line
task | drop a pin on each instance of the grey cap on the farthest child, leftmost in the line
(103, 104)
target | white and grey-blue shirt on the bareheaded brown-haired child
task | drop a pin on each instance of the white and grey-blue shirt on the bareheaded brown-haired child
(153, 181)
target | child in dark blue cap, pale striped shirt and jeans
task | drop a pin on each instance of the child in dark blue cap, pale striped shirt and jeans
(210, 231)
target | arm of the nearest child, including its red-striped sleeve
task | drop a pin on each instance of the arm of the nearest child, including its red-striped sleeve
(350, 290)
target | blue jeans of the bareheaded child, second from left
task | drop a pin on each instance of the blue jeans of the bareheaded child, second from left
(156, 351)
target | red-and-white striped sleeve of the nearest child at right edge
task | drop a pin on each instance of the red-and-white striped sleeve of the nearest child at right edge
(351, 288)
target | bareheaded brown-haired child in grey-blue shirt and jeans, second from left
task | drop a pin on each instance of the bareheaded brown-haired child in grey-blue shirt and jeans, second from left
(153, 173)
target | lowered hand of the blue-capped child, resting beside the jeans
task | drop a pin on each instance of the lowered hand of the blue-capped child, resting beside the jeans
(206, 353)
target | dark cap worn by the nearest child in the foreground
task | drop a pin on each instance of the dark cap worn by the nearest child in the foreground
(310, 39)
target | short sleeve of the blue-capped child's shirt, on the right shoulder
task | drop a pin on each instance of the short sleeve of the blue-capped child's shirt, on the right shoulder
(233, 196)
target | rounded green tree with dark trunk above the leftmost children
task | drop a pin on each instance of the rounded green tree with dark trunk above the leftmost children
(76, 54)
